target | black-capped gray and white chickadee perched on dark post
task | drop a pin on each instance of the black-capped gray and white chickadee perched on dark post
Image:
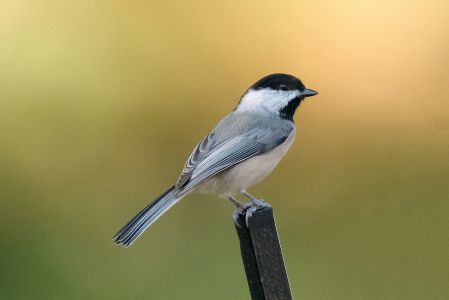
(239, 152)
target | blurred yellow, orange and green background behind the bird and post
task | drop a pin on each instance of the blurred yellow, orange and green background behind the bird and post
(101, 103)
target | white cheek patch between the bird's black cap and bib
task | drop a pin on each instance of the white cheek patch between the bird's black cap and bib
(266, 100)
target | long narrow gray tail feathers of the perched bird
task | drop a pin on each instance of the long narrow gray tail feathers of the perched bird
(131, 231)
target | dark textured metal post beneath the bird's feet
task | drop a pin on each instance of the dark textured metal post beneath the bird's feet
(262, 257)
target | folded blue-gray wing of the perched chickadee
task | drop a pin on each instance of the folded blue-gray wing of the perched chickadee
(211, 157)
